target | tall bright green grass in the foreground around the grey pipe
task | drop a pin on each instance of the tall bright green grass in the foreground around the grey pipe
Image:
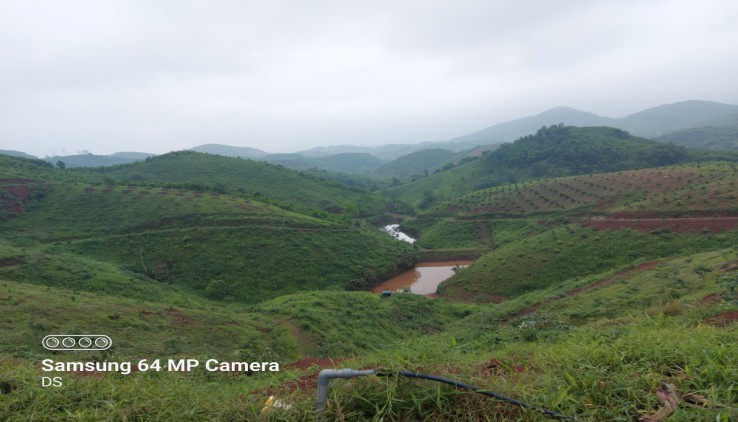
(605, 373)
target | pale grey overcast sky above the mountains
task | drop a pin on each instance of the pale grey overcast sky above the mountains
(282, 76)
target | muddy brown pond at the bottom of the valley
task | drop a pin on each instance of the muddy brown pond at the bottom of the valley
(423, 279)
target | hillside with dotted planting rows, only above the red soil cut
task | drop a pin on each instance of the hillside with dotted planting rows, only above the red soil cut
(666, 191)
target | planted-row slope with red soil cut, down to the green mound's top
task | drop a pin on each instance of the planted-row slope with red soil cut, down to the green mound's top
(644, 199)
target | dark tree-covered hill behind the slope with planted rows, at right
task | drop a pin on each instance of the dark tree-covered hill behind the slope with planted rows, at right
(552, 152)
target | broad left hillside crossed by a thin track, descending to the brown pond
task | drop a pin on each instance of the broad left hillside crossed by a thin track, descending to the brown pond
(219, 245)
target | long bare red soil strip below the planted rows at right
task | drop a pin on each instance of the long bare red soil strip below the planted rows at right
(677, 225)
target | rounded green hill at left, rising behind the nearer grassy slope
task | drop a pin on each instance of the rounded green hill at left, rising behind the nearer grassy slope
(224, 174)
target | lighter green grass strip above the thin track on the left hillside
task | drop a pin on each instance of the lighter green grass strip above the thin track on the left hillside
(70, 211)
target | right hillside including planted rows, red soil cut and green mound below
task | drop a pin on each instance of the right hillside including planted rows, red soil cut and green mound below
(540, 233)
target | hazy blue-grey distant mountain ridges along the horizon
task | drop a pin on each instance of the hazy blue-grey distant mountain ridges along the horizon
(707, 125)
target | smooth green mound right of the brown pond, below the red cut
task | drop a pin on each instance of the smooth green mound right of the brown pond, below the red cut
(561, 253)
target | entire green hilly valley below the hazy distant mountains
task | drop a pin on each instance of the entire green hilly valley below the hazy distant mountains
(586, 271)
